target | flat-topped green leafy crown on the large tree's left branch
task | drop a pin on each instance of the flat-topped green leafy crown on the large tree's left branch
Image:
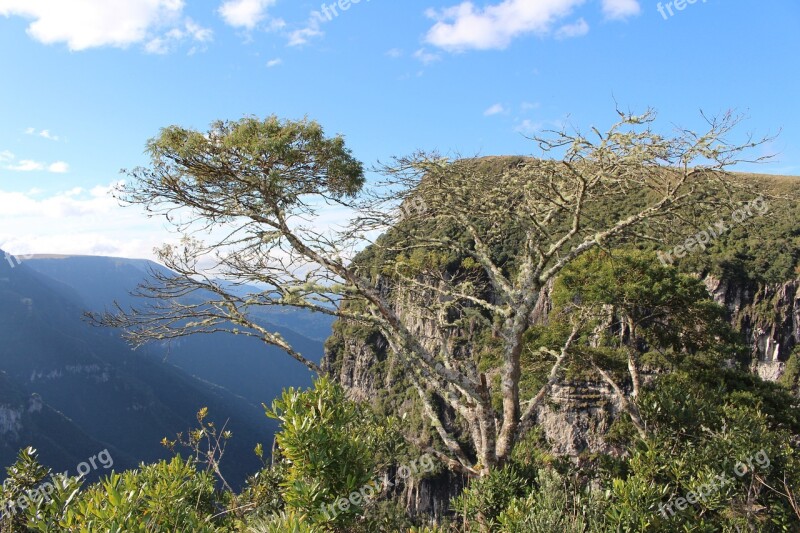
(262, 162)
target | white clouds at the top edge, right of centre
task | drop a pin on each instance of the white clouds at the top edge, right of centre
(465, 26)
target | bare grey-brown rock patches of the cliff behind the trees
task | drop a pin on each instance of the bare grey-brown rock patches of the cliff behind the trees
(579, 413)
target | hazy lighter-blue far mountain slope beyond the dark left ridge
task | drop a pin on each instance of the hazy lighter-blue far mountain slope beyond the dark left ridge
(242, 365)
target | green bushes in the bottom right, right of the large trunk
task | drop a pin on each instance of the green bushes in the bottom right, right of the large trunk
(705, 421)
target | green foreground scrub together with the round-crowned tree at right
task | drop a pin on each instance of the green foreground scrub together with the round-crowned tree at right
(717, 451)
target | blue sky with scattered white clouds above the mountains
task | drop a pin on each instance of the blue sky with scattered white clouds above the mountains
(86, 82)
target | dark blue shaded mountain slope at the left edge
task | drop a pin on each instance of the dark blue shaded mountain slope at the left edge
(71, 390)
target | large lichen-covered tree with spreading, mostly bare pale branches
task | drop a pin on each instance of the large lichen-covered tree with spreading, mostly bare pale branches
(511, 225)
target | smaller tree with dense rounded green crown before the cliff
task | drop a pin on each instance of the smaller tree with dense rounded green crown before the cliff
(630, 306)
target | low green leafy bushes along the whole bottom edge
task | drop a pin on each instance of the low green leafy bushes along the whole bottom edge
(705, 421)
